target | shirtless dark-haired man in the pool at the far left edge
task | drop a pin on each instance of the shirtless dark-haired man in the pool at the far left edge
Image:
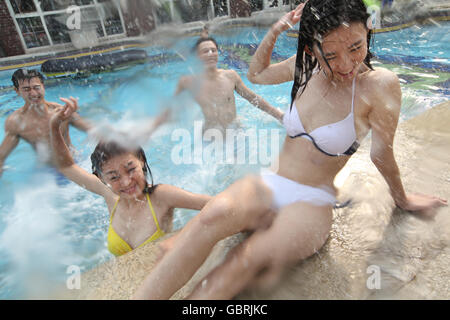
(31, 122)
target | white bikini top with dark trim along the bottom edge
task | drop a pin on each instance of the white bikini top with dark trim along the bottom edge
(334, 139)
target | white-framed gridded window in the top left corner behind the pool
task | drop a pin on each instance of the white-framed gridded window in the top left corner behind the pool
(44, 22)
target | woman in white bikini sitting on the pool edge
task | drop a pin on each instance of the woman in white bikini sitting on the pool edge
(337, 97)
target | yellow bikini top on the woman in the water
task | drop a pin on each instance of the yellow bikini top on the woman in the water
(118, 246)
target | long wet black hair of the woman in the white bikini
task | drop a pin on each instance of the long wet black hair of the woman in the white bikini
(319, 17)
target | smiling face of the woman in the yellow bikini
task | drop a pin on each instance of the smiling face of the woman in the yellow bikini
(124, 173)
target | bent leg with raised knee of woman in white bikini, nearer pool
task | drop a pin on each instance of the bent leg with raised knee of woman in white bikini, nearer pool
(244, 205)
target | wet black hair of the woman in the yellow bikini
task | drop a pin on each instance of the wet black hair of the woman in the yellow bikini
(107, 150)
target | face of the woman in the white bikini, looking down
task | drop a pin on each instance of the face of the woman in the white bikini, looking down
(345, 49)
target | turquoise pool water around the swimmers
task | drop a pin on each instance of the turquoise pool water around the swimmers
(45, 227)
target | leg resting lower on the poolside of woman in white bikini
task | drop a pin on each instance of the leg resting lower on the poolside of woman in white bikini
(298, 231)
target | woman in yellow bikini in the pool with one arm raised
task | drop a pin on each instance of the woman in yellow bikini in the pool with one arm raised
(139, 212)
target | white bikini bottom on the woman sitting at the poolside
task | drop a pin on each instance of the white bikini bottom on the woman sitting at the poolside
(286, 191)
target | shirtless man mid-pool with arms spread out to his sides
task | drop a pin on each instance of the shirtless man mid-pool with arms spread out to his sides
(214, 89)
